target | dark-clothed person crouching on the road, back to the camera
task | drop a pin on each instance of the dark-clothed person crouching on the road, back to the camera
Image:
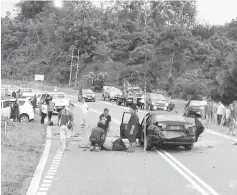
(97, 137)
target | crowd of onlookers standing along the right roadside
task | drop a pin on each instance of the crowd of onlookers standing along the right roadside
(222, 115)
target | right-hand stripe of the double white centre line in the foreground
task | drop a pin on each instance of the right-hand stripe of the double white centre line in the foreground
(190, 173)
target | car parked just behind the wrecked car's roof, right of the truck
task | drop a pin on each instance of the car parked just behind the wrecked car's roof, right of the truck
(157, 102)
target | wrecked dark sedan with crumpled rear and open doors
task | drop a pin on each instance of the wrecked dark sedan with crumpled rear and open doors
(166, 128)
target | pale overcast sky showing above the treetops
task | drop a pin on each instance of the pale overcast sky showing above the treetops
(213, 12)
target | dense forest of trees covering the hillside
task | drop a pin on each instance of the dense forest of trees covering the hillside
(159, 42)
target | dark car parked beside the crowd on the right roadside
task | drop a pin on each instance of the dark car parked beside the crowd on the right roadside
(193, 108)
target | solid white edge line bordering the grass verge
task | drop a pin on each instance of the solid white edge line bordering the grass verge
(35, 182)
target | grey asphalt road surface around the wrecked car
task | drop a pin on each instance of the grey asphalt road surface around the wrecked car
(210, 168)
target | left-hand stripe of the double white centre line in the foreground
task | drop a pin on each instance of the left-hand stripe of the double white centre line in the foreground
(198, 187)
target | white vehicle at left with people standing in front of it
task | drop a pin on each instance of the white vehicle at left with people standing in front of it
(59, 98)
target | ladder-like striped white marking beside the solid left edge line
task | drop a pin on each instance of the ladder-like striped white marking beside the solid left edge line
(46, 183)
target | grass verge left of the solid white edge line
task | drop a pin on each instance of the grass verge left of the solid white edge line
(21, 152)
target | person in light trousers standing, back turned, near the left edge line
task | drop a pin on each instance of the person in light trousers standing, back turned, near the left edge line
(65, 121)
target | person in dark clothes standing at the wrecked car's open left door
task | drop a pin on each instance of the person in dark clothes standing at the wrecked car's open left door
(133, 126)
